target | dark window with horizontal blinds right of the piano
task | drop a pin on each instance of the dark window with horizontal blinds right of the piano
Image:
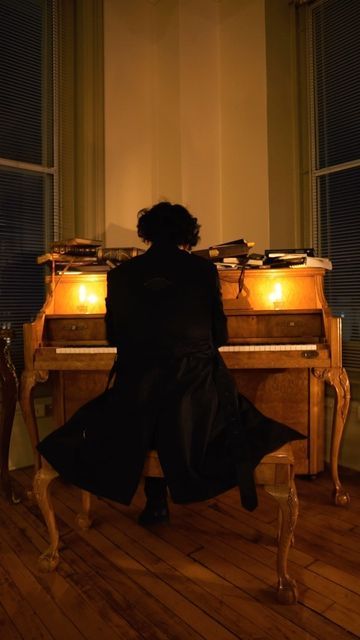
(334, 64)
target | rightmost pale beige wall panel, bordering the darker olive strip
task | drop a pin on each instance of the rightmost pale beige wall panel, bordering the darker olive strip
(244, 144)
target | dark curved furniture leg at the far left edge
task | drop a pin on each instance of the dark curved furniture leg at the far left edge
(9, 387)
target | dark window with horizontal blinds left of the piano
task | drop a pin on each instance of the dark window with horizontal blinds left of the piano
(28, 172)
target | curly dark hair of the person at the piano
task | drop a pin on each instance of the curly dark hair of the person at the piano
(170, 223)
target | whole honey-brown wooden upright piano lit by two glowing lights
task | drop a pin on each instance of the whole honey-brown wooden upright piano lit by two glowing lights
(284, 345)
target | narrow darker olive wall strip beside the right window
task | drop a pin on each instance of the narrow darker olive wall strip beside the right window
(282, 126)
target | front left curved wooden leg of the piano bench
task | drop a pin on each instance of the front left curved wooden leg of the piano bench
(43, 480)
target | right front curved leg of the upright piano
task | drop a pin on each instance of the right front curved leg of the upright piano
(337, 378)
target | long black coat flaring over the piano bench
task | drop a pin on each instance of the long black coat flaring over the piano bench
(172, 391)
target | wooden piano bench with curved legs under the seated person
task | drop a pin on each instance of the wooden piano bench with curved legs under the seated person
(275, 473)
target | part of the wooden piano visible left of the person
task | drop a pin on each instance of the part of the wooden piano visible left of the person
(71, 318)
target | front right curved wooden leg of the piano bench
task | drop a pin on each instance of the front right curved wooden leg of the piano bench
(289, 509)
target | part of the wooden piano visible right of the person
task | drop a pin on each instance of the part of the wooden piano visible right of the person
(284, 346)
